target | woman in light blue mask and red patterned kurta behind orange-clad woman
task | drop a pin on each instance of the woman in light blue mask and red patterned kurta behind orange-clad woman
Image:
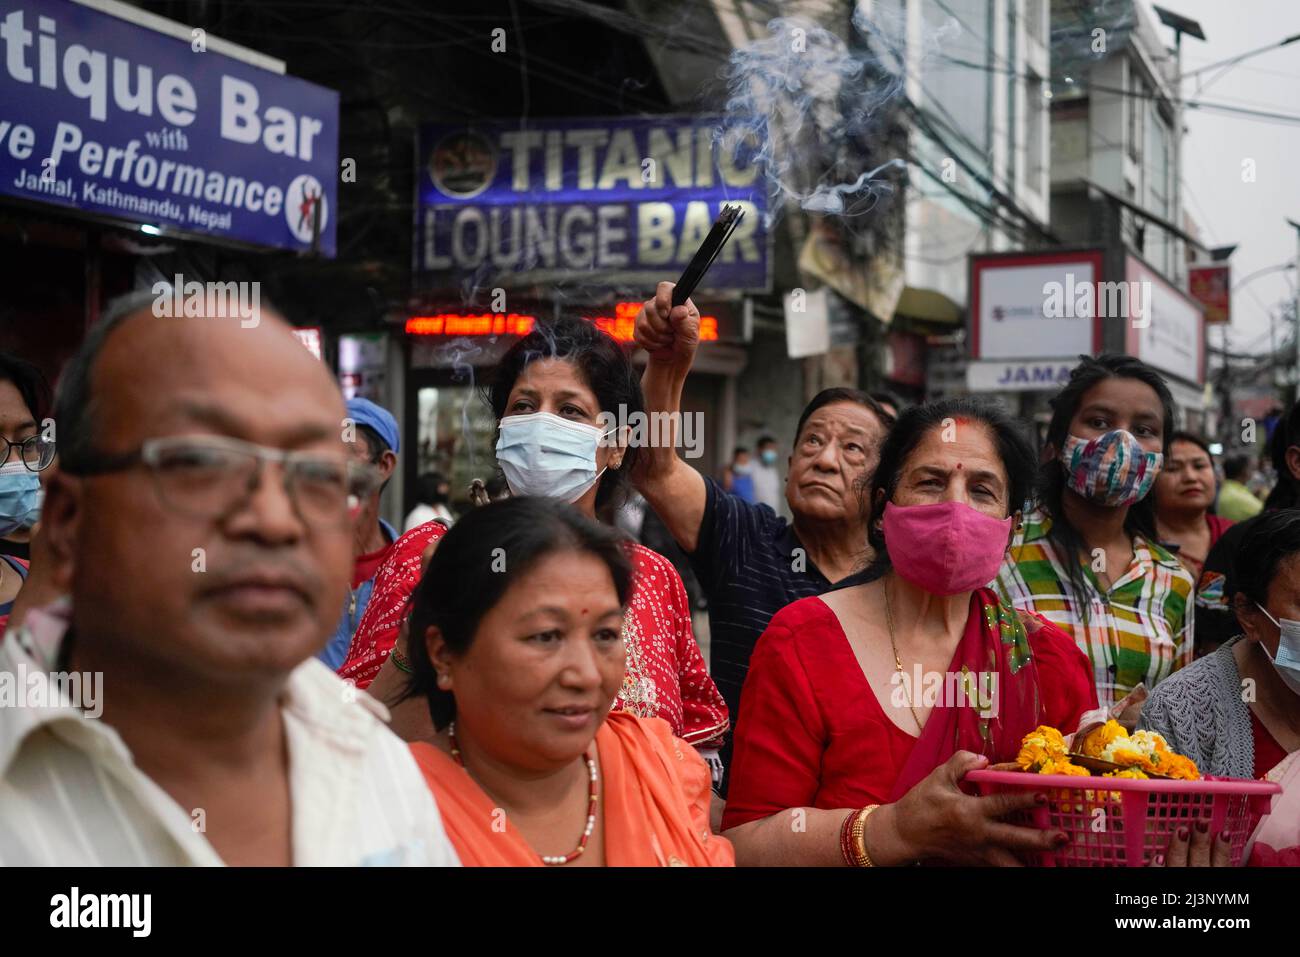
(558, 393)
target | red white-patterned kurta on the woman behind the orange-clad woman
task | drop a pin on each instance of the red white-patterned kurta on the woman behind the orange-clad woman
(666, 675)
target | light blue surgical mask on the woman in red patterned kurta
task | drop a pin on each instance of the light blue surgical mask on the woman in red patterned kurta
(544, 454)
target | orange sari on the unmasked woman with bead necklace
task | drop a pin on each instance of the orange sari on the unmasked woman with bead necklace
(655, 800)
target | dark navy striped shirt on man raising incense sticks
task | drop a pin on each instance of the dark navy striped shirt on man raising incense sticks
(751, 566)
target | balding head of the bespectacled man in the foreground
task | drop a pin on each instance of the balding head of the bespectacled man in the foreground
(236, 571)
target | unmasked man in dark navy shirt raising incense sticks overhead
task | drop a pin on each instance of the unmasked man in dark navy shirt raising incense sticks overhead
(749, 561)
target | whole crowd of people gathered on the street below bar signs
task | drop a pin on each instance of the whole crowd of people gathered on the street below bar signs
(287, 679)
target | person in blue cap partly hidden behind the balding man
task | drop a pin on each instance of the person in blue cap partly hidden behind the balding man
(374, 443)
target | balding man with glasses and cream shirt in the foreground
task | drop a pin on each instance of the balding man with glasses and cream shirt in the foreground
(201, 522)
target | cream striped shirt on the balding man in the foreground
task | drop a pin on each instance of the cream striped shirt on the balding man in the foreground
(71, 794)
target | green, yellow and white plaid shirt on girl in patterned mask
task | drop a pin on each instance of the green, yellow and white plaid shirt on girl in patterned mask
(1141, 631)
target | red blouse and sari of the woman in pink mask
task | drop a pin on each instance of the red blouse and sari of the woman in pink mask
(813, 734)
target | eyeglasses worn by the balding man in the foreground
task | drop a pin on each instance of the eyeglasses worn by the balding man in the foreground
(210, 478)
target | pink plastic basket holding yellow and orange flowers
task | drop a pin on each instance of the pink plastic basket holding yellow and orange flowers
(1125, 822)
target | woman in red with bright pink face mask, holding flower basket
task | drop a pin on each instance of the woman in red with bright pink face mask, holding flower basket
(864, 708)
